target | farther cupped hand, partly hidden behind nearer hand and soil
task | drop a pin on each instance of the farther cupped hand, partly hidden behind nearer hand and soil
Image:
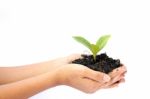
(117, 75)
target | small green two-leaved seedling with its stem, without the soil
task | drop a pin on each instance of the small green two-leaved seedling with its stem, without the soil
(94, 48)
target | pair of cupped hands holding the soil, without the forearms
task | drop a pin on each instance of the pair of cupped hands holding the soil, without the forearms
(85, 79)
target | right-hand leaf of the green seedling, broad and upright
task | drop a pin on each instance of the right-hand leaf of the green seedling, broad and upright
(102, 41)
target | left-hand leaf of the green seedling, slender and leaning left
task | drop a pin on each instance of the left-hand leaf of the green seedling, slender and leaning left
(83, 41)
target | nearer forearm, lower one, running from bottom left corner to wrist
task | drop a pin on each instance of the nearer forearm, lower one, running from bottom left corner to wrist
(28, 87)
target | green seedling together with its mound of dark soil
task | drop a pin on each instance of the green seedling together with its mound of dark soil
(101, 62)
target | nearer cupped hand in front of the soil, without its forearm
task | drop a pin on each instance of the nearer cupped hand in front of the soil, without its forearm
(81, 77)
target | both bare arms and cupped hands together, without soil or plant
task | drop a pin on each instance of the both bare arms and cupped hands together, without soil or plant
(25, 81)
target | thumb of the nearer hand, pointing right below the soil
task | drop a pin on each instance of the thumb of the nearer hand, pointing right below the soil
(96, 75)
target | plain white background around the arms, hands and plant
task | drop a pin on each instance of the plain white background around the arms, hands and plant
(38, 30)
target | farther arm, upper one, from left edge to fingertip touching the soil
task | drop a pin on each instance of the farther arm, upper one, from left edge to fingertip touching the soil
(16, 73)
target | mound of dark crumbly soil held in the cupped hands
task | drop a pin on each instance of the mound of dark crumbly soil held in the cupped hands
(103, 63)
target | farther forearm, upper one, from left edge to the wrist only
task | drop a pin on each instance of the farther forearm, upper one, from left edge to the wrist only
(12, 74)
